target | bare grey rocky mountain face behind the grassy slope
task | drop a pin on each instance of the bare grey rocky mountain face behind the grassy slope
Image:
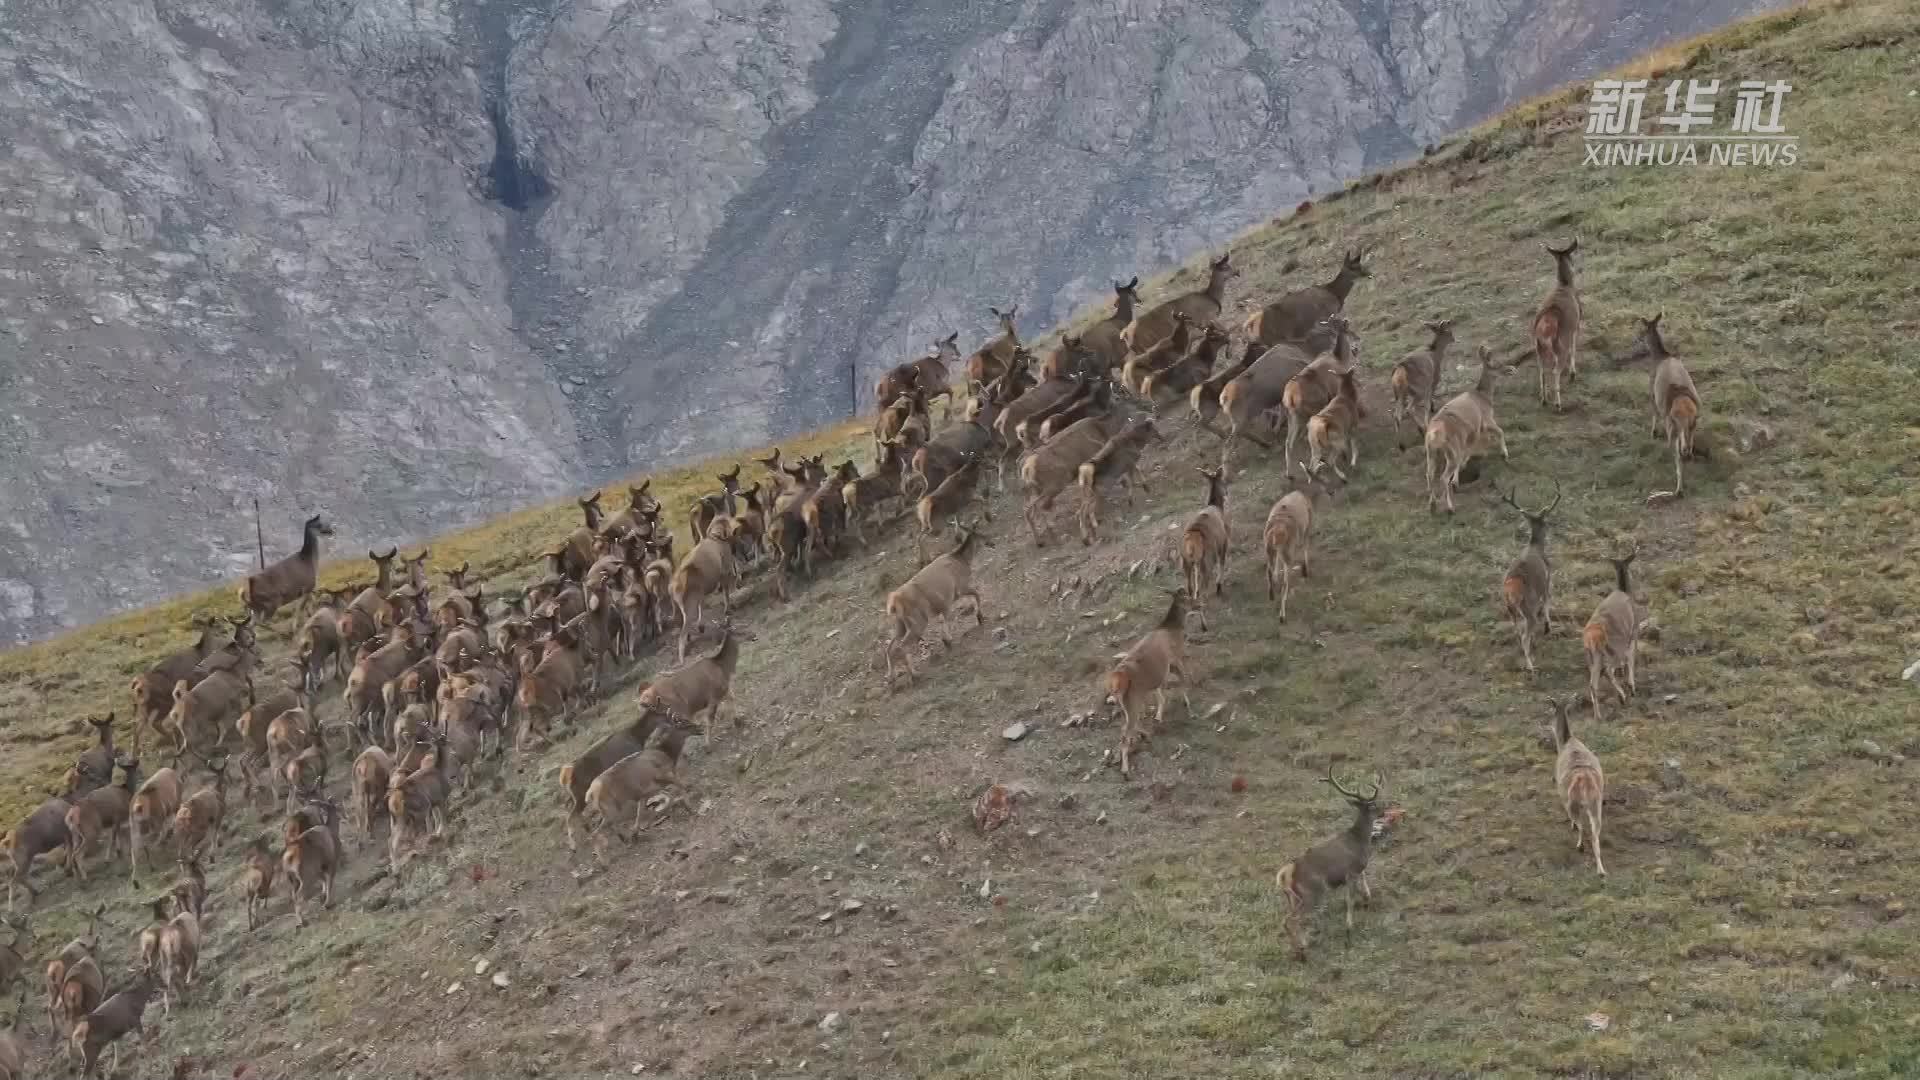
(414, 262)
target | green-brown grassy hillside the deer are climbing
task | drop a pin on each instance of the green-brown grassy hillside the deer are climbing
(1758, 829)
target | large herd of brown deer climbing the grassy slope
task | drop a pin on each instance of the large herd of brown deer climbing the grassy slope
(439, 683)
